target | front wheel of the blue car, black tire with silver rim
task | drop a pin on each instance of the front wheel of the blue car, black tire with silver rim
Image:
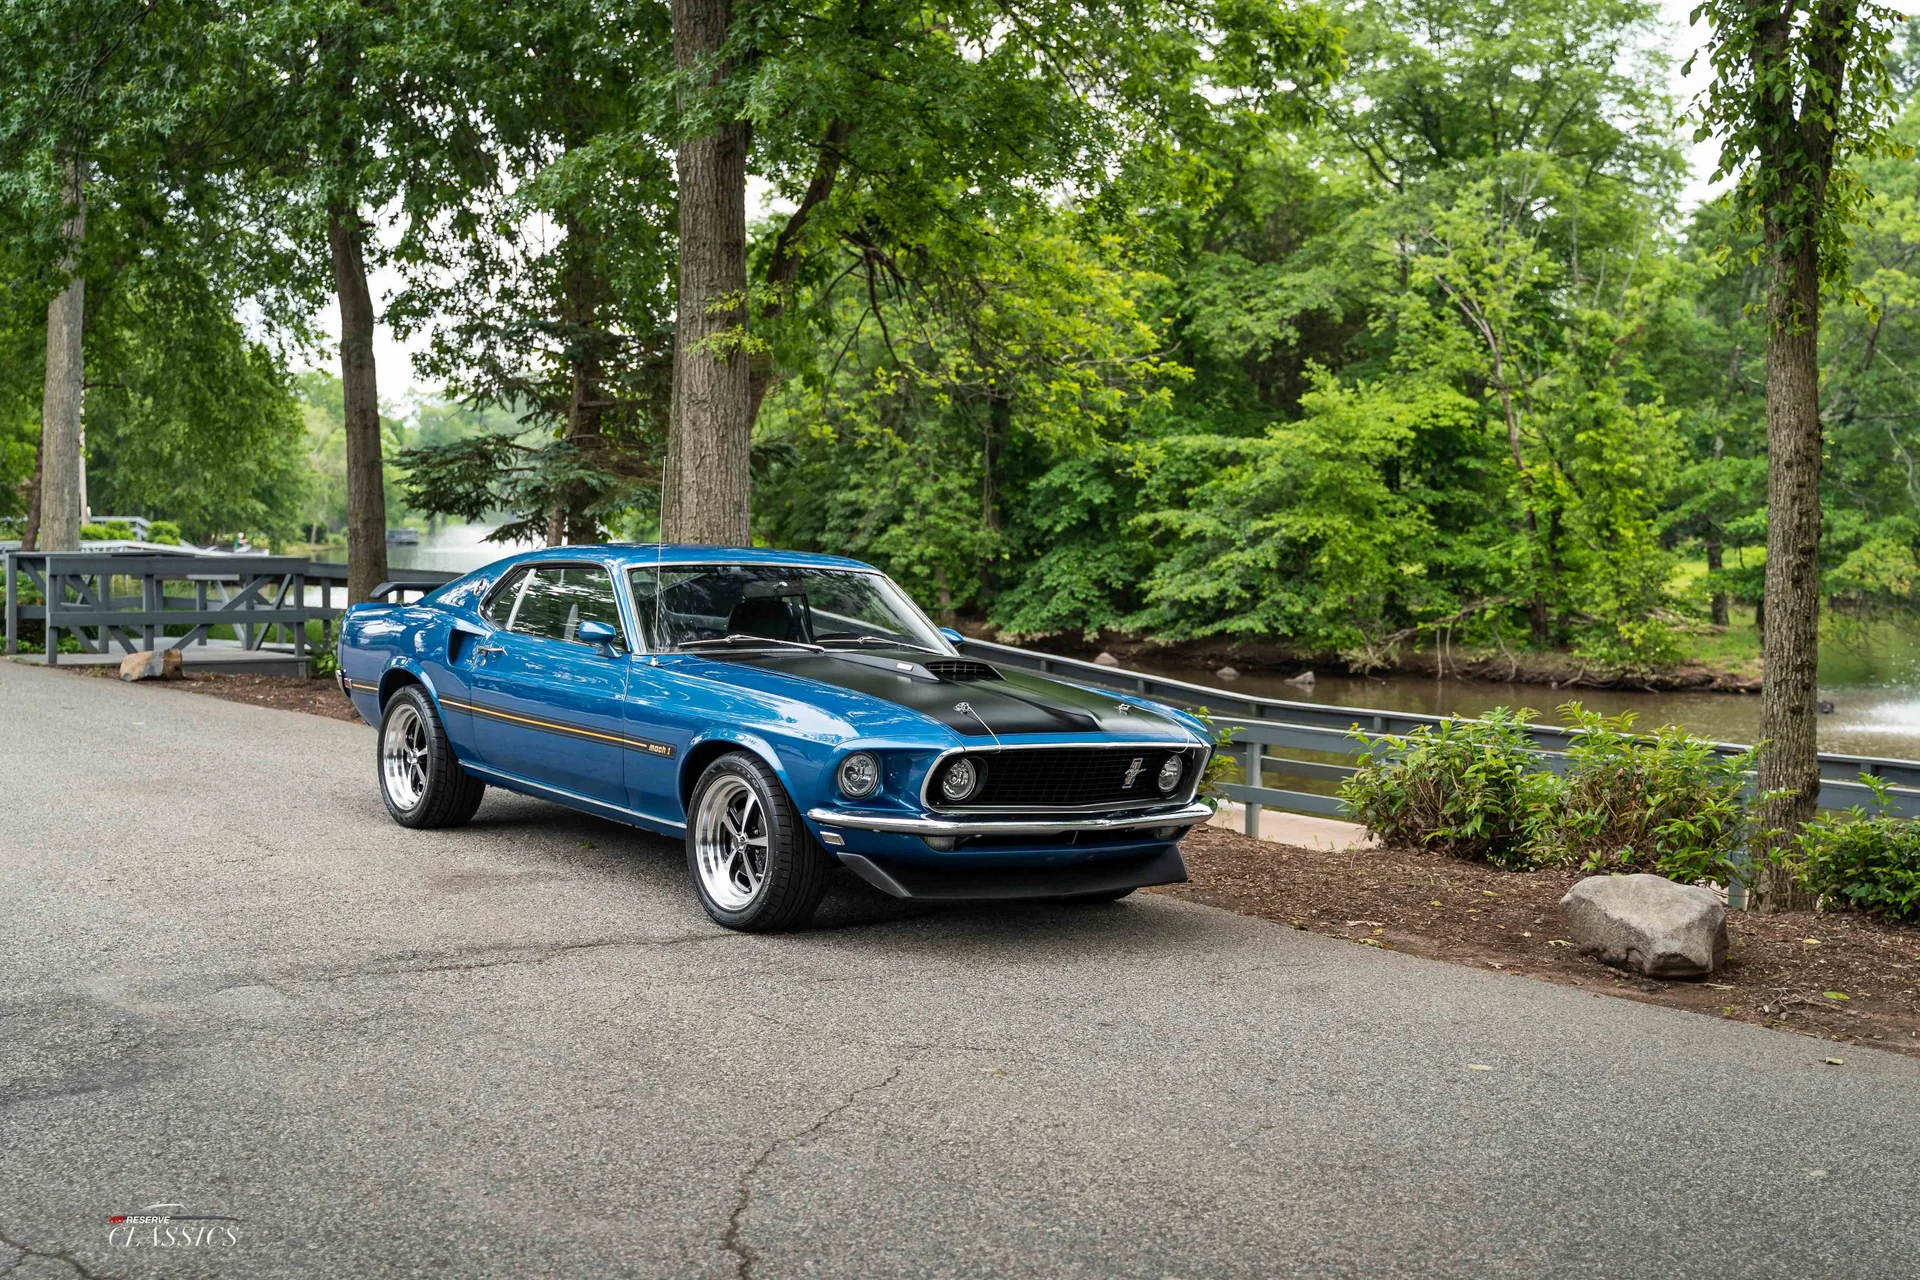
(779, 889)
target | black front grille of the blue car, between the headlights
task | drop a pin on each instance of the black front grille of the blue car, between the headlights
(1072, 778)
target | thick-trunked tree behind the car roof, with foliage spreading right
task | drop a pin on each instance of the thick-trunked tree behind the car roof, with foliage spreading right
(884, 120)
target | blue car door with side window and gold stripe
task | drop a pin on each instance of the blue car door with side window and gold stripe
(550, 707)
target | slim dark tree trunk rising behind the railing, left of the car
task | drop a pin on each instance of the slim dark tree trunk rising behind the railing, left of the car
(366, 471)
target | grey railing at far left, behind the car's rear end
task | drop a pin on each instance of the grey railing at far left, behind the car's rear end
(258, 596)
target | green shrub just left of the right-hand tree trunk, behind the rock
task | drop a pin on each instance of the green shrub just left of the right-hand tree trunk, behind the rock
(1664, 803)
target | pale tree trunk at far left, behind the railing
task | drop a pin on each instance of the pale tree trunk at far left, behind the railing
(66, 369)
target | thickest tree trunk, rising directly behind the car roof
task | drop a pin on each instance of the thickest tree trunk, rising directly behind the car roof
(709, 427)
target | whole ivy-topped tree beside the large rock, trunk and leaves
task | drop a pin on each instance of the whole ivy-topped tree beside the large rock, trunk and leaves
(1800, 95)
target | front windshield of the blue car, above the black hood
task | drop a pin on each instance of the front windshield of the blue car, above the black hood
(777, 607)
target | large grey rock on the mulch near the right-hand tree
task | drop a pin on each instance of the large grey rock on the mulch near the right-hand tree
(1648, 924)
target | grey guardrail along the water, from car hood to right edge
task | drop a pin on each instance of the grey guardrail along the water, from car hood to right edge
(1262, 724)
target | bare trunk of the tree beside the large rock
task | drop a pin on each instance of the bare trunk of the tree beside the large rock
(1790, 648)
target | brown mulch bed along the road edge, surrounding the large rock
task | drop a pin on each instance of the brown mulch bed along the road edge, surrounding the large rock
(1836, 976)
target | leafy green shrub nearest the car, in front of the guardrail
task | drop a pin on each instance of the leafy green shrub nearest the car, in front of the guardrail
(1468, 788)
